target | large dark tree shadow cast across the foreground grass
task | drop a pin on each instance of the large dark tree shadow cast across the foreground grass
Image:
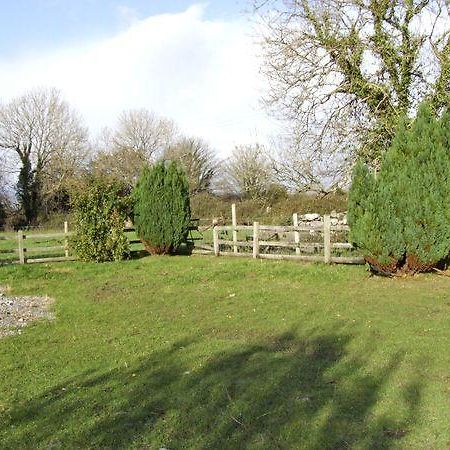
(285, 392)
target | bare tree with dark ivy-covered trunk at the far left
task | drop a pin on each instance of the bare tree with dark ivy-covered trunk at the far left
(45, 138)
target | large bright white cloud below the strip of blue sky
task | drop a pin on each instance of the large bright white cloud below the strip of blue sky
(203, 74)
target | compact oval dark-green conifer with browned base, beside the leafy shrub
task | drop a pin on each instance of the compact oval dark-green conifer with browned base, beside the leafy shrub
(162, 210)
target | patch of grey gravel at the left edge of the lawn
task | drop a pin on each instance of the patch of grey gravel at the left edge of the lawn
(17, 312)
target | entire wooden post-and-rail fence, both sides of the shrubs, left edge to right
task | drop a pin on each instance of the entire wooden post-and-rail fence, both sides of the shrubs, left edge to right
(314, 242)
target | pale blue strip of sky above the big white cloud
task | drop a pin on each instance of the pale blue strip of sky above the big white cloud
(30, 25)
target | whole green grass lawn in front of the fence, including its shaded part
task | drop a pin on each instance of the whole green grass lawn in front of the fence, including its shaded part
(203, 352)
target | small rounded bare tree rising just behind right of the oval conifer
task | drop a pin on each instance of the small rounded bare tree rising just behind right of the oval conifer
(197, 160)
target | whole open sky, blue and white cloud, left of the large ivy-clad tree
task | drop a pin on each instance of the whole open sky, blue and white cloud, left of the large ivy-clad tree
(197, 63)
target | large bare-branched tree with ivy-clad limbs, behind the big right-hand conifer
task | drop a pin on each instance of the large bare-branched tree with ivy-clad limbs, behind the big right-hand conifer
(345, 71)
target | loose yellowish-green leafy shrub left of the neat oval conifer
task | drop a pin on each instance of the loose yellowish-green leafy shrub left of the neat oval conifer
(99, 213)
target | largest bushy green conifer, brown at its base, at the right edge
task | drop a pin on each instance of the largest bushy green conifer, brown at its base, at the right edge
(401, 218)
